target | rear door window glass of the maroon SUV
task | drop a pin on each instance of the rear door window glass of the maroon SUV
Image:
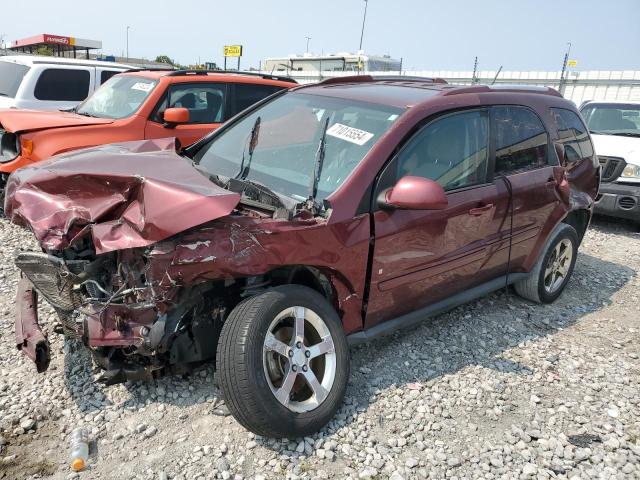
(520, 138)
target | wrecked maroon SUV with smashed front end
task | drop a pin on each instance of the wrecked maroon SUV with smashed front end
(329, 213)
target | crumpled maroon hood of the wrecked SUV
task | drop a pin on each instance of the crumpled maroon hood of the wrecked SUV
(128, 195)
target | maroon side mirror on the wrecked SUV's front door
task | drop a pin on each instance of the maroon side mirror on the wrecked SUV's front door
(414, 193)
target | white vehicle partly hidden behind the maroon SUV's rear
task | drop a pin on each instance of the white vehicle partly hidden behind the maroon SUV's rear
(615, 131)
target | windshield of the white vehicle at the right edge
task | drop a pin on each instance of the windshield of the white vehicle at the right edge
(613, 118)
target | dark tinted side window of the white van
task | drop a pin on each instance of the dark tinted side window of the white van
(63, 85)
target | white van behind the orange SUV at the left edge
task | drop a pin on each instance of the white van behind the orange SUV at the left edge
(51, 83)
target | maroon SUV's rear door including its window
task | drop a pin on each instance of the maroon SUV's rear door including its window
(525, 166)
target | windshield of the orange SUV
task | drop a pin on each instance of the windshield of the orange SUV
(118, 97)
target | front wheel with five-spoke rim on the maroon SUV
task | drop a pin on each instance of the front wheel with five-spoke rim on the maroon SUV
(283, 362)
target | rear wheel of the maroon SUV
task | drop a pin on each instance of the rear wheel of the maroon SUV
(553, 269)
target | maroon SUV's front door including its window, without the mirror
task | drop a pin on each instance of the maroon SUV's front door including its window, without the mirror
(421, 257)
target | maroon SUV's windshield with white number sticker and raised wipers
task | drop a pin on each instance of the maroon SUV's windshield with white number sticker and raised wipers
(278, 144)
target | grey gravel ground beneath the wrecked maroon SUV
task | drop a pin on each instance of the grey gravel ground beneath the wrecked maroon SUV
(496, 388)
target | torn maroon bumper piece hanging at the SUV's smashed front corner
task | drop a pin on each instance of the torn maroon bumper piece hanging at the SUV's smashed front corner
(29, 337)
